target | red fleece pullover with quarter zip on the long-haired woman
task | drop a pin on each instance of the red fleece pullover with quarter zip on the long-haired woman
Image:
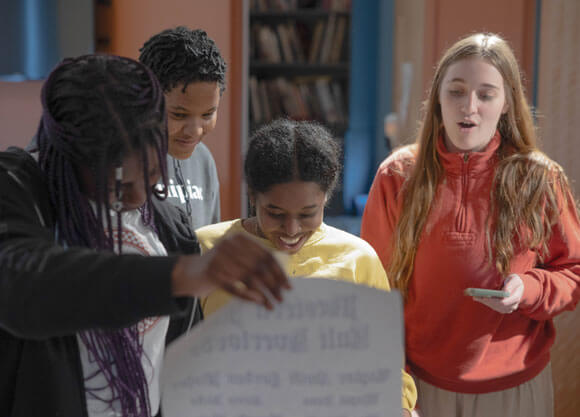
(453, 342)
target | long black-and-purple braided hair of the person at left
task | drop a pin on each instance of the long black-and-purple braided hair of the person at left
(96, 110)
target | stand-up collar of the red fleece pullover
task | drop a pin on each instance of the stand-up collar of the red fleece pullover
(455, 162)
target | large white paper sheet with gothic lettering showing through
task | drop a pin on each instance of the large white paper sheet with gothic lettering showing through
(331, 349)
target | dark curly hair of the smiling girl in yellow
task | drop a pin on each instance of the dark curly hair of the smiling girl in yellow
(287, 150)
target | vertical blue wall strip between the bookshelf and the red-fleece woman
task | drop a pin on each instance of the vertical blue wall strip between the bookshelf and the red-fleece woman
(372, 28)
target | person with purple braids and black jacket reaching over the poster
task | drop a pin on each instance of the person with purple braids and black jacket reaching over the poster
(91, 280)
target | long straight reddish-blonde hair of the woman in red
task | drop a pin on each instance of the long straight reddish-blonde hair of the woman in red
(526, 182)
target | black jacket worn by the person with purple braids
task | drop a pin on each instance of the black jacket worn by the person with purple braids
(48, 294)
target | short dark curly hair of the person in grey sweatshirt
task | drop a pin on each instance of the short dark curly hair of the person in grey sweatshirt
(181, 56)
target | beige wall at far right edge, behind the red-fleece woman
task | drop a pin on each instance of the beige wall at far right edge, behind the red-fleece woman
(559, 122)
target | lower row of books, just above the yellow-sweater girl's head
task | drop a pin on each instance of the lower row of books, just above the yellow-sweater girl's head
(312, 98)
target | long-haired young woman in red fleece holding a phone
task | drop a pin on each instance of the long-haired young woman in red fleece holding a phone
(475, 203)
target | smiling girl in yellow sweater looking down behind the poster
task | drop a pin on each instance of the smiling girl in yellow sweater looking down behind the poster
(291, 169)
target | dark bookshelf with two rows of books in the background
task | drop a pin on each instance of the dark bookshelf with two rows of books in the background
(299, 61)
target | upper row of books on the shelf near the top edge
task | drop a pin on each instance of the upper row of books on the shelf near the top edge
(323, 42)
